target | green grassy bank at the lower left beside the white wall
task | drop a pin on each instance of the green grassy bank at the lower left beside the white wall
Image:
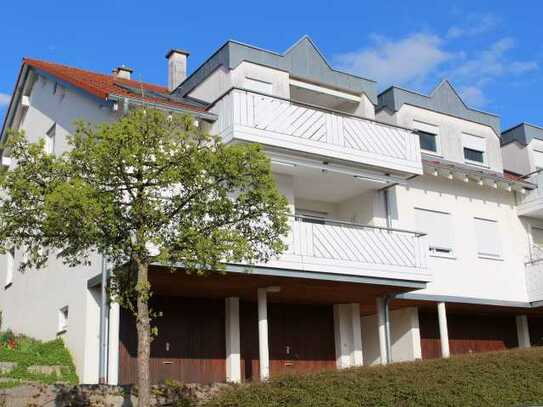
(28, 352)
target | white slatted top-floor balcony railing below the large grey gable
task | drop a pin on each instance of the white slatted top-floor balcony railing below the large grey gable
(253, 117)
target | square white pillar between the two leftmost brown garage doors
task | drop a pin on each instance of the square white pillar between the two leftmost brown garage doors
(233, 358)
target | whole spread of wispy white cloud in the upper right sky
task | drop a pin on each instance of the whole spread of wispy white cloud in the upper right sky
(420, 60)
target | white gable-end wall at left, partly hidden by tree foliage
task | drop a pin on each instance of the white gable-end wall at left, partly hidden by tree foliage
(31, 304)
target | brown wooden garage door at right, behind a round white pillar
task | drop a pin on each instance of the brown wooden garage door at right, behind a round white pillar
(467, 333)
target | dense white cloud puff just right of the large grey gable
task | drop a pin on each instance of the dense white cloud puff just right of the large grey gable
(409, 59)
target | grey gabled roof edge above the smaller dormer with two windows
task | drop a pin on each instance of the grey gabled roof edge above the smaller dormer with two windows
(443, 99)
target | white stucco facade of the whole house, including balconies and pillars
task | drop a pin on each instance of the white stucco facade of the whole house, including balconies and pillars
(334, 163)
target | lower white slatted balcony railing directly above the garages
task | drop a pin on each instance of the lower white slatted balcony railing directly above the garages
(332, 246)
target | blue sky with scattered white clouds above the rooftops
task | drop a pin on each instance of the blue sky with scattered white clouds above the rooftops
(490, 50)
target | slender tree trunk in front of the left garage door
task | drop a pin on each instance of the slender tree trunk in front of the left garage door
(143, 326)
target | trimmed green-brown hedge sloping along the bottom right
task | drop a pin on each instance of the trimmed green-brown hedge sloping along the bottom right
(511, 378)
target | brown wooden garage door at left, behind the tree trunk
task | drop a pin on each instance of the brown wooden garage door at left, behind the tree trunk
(190, 346)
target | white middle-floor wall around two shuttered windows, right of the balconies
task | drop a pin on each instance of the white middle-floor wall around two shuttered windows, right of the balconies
(467, 275)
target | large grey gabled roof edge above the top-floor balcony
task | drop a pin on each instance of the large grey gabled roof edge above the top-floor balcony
(302, 60)
